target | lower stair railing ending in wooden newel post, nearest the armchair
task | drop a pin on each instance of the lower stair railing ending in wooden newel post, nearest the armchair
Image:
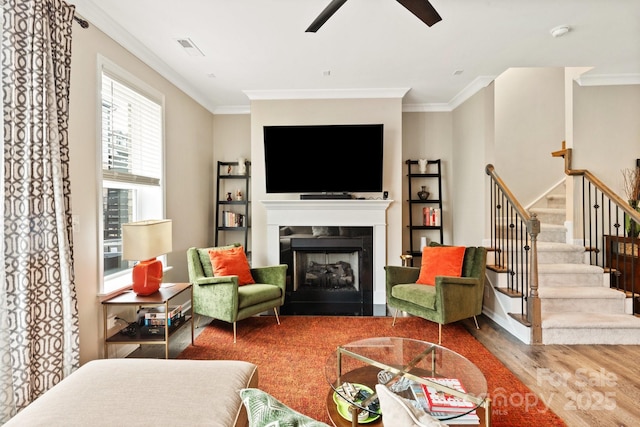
(514, 234)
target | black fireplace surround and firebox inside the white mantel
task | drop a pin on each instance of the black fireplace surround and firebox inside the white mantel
(334, 270)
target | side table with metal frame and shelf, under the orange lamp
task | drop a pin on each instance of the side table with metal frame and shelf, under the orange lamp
(162, 298)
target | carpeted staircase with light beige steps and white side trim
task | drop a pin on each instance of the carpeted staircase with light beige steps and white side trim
(577, 304)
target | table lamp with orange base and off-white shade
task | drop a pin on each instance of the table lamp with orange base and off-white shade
(143, 241)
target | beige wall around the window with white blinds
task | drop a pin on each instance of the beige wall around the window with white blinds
(189, 149)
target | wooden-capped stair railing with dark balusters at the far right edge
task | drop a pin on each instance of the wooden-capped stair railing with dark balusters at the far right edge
(604, 218)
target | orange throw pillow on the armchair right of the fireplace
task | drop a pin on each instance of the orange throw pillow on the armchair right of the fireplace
(440, 261)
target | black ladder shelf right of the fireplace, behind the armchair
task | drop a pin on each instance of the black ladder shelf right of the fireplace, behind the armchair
(425, 213)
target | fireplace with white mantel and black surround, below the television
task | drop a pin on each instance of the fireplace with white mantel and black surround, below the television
(332, 220)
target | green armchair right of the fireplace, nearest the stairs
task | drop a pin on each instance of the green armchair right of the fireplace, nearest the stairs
(450, 300)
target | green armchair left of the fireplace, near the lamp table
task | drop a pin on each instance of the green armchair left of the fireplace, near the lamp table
(222, 298)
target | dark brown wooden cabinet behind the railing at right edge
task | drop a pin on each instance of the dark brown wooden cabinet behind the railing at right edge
(623, 256)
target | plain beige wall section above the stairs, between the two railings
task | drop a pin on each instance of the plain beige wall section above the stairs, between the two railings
(529, 125)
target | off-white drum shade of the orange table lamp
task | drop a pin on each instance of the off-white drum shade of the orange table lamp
(144, 240)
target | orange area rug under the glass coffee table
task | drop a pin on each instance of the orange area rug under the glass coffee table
(291, 359)
